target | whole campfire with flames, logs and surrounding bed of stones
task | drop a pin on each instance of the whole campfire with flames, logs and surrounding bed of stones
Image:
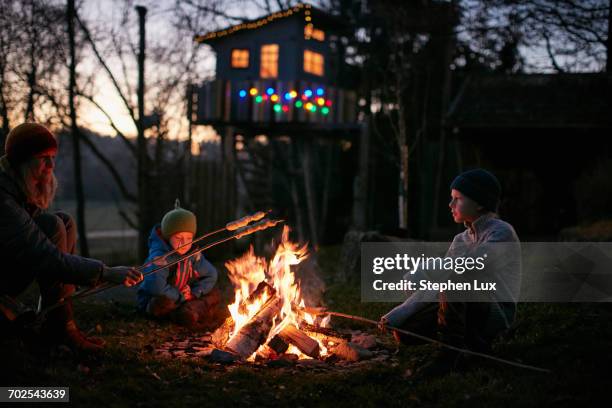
(270, 320)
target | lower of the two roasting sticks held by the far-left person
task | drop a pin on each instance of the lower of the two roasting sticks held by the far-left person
(239, 233)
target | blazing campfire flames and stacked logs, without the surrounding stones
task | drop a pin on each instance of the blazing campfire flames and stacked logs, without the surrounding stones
(269, 315)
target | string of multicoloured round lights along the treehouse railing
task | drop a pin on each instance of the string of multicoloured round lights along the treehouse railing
(310, 100)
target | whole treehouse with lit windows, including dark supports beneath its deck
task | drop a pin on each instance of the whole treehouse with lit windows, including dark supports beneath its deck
(282, 76)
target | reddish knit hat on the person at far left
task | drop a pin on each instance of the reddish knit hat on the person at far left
(27, 140)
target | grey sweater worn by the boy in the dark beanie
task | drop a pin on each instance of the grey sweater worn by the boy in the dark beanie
(475, 241)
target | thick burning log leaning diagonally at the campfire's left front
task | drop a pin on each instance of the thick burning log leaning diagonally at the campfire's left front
(248, 339)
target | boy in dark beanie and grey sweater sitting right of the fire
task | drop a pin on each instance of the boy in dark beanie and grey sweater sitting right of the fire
(475, 196)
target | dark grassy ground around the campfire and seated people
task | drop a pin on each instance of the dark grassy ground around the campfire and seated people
(573, 340)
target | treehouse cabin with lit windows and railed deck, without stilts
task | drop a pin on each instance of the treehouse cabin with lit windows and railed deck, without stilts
(277, 72)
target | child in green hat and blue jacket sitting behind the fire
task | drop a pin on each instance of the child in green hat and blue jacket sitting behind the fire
(184, 292)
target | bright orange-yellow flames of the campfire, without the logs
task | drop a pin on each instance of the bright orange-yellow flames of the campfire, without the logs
(249, 270)
